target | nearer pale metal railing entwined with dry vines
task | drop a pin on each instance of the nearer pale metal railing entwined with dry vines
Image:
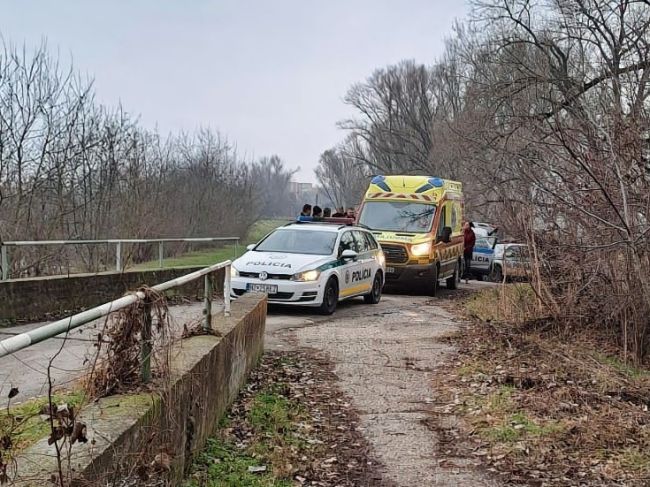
(29, 338)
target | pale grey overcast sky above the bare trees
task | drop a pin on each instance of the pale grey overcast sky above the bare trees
(269, 74)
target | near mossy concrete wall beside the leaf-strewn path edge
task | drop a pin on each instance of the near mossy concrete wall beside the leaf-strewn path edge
(126, 432)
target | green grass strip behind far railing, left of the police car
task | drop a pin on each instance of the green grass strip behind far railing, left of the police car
(212, 256)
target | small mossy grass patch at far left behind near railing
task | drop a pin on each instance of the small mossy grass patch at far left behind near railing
(25, 421)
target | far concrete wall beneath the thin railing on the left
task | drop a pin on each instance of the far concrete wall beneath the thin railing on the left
(36, 299)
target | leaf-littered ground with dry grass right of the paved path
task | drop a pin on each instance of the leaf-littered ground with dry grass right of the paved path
(541, 404)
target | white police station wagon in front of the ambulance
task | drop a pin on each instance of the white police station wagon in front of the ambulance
(312, 264)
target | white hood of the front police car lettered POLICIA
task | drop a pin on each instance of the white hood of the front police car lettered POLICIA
(279, 263)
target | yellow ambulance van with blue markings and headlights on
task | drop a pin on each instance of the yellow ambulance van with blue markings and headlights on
(418, 223)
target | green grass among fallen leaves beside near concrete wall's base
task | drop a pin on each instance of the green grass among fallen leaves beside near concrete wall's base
(272, 421)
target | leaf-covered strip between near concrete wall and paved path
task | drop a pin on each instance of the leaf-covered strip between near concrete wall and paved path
(289, 426)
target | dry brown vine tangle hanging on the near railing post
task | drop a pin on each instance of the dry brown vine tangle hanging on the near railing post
(118, 362)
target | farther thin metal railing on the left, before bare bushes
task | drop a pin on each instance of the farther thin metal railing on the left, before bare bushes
(119, 265)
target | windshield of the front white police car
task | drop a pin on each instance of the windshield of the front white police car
(290, 241)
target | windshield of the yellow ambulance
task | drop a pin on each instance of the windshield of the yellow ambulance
(397, 216)
